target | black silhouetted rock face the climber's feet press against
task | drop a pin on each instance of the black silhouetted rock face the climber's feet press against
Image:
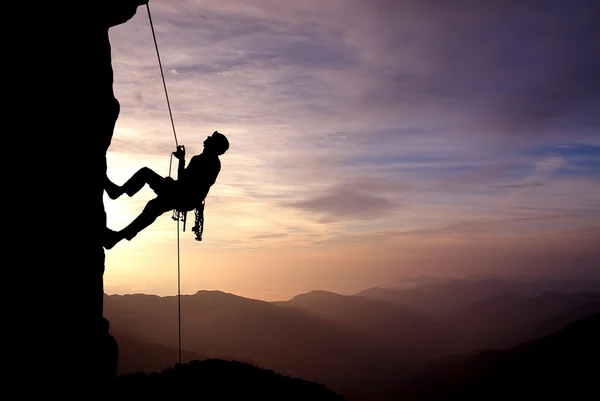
(64, 104)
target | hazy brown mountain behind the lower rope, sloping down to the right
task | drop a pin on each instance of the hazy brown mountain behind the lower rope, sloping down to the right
(288, 340)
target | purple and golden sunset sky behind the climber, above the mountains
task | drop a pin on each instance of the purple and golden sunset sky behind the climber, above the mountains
(371, 141)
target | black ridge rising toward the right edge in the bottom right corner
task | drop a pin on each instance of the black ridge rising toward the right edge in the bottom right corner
(563, 365)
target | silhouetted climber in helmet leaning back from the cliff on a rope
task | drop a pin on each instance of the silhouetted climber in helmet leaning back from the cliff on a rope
(185, 194)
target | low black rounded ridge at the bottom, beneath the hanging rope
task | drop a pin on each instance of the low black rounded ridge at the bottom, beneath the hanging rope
(217, 379)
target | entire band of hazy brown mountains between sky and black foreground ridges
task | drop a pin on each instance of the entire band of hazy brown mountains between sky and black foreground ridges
(353, 344)
